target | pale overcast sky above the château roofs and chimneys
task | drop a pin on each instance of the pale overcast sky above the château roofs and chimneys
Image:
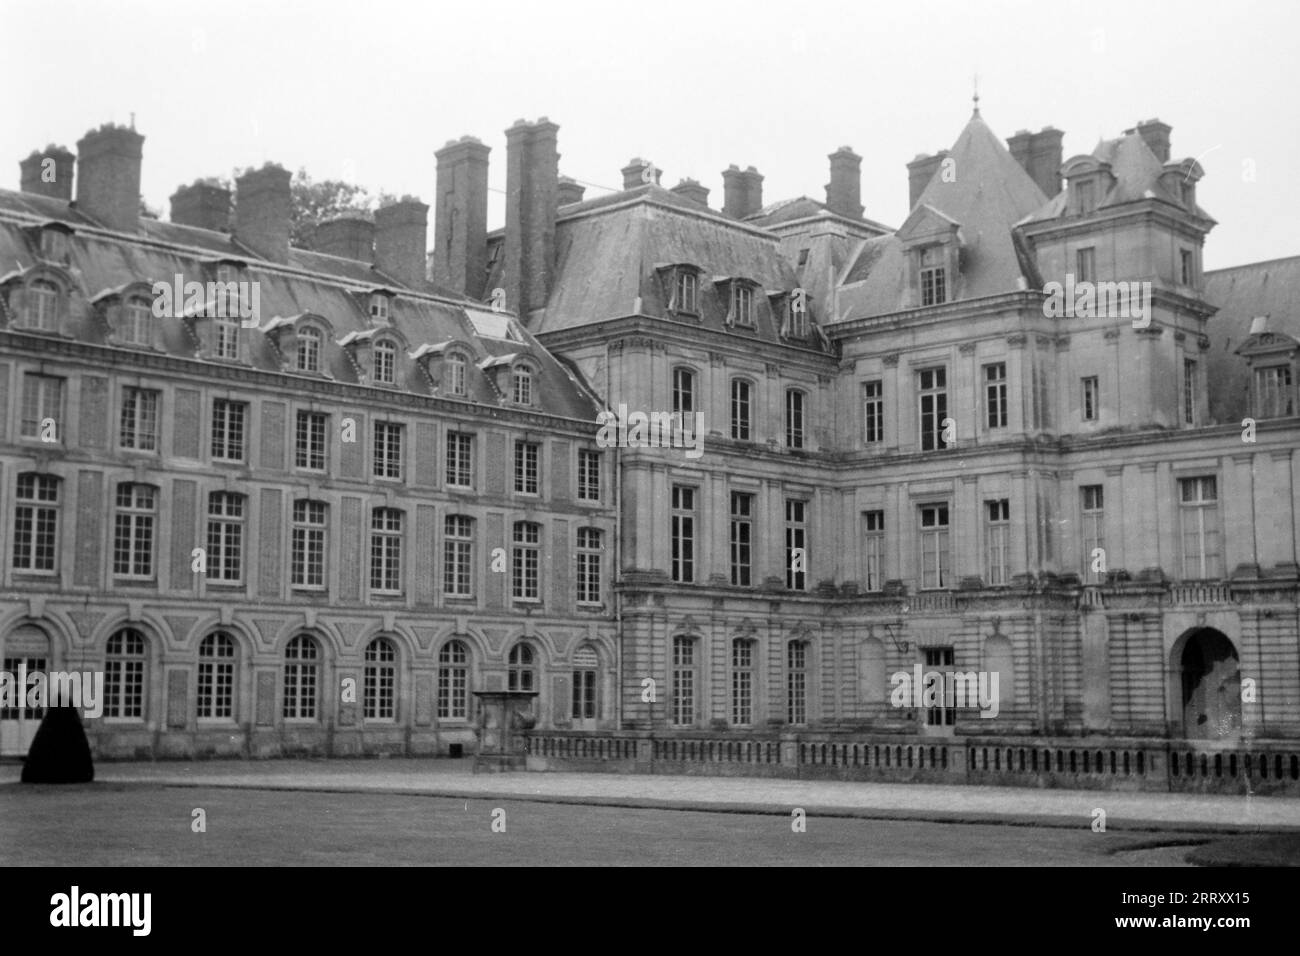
(367, 92)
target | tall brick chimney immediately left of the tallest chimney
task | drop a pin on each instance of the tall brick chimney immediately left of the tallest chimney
(461, 218)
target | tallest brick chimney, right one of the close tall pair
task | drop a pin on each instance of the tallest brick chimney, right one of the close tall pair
(532, 191)
